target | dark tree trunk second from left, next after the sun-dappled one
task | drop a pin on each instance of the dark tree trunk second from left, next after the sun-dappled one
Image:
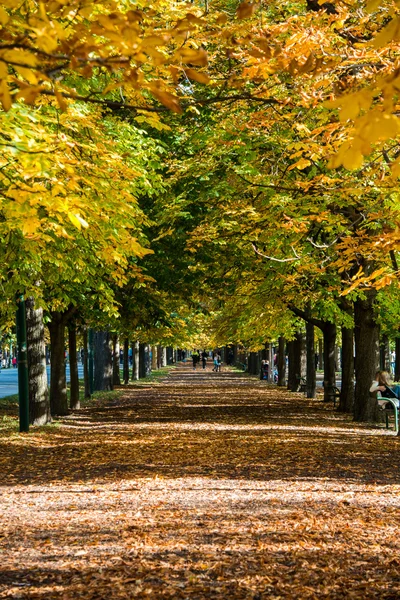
(58, 380)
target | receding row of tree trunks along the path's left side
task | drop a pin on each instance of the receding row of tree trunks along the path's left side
(45, 403)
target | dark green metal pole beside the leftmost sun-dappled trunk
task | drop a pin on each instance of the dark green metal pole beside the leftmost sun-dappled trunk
(23, 386)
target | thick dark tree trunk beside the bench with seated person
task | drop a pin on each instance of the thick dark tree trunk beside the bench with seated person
(366, 332)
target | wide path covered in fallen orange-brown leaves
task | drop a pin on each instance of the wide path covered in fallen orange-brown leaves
(205, 485)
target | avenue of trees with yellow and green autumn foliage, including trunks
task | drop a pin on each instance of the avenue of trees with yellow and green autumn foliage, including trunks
(215, 172)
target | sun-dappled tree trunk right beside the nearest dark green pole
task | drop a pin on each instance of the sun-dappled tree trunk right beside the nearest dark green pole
(39, 401)
